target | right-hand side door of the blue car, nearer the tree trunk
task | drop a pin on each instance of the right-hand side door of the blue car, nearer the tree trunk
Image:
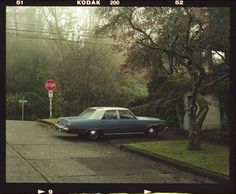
(128, 123)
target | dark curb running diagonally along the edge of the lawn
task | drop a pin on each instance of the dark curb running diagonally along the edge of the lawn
(177, 164)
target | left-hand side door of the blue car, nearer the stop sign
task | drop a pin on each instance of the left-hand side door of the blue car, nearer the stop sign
(110, 122)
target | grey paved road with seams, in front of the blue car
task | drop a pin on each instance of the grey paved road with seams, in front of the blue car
(38, 154)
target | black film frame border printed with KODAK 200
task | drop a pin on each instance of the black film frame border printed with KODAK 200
(116, 188)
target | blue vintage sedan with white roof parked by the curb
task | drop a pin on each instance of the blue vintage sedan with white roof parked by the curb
(99, 121)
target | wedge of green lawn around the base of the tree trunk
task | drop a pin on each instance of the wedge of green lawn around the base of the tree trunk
(211, 157)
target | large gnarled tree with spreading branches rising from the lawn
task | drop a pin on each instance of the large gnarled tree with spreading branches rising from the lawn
(179, 41)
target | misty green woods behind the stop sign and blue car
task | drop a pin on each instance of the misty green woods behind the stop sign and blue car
(48, 43)
